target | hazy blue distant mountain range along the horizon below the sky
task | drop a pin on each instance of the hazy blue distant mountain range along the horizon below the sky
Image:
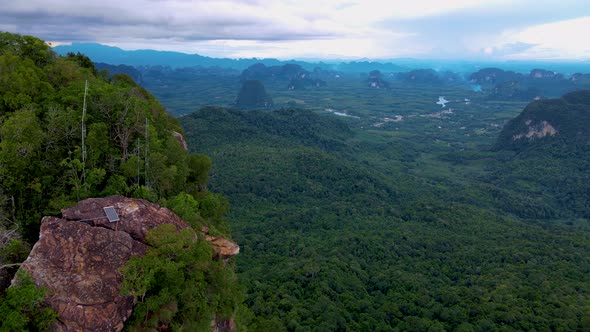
(117, 56)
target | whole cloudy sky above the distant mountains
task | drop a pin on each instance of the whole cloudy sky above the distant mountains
(377, 29)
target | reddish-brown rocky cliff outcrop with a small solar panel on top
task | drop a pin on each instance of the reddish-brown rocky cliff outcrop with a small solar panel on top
(78, 256)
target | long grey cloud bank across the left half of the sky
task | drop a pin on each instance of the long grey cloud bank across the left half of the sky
(154, 19)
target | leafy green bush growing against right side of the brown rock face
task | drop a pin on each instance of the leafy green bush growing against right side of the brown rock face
(178, 284)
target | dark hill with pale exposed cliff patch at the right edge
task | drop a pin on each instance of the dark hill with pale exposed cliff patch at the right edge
(566, 119)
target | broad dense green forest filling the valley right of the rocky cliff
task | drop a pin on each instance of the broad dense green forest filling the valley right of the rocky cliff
(342, 229)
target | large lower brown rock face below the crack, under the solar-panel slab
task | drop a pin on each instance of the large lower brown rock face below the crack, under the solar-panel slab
(79, 266)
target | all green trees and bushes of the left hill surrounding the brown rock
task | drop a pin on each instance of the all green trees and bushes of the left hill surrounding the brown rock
(52, 155)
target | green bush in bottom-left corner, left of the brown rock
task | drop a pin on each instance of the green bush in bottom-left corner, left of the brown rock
(21, 309)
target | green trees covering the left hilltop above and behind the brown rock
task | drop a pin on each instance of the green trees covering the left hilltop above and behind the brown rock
(129, 142)
